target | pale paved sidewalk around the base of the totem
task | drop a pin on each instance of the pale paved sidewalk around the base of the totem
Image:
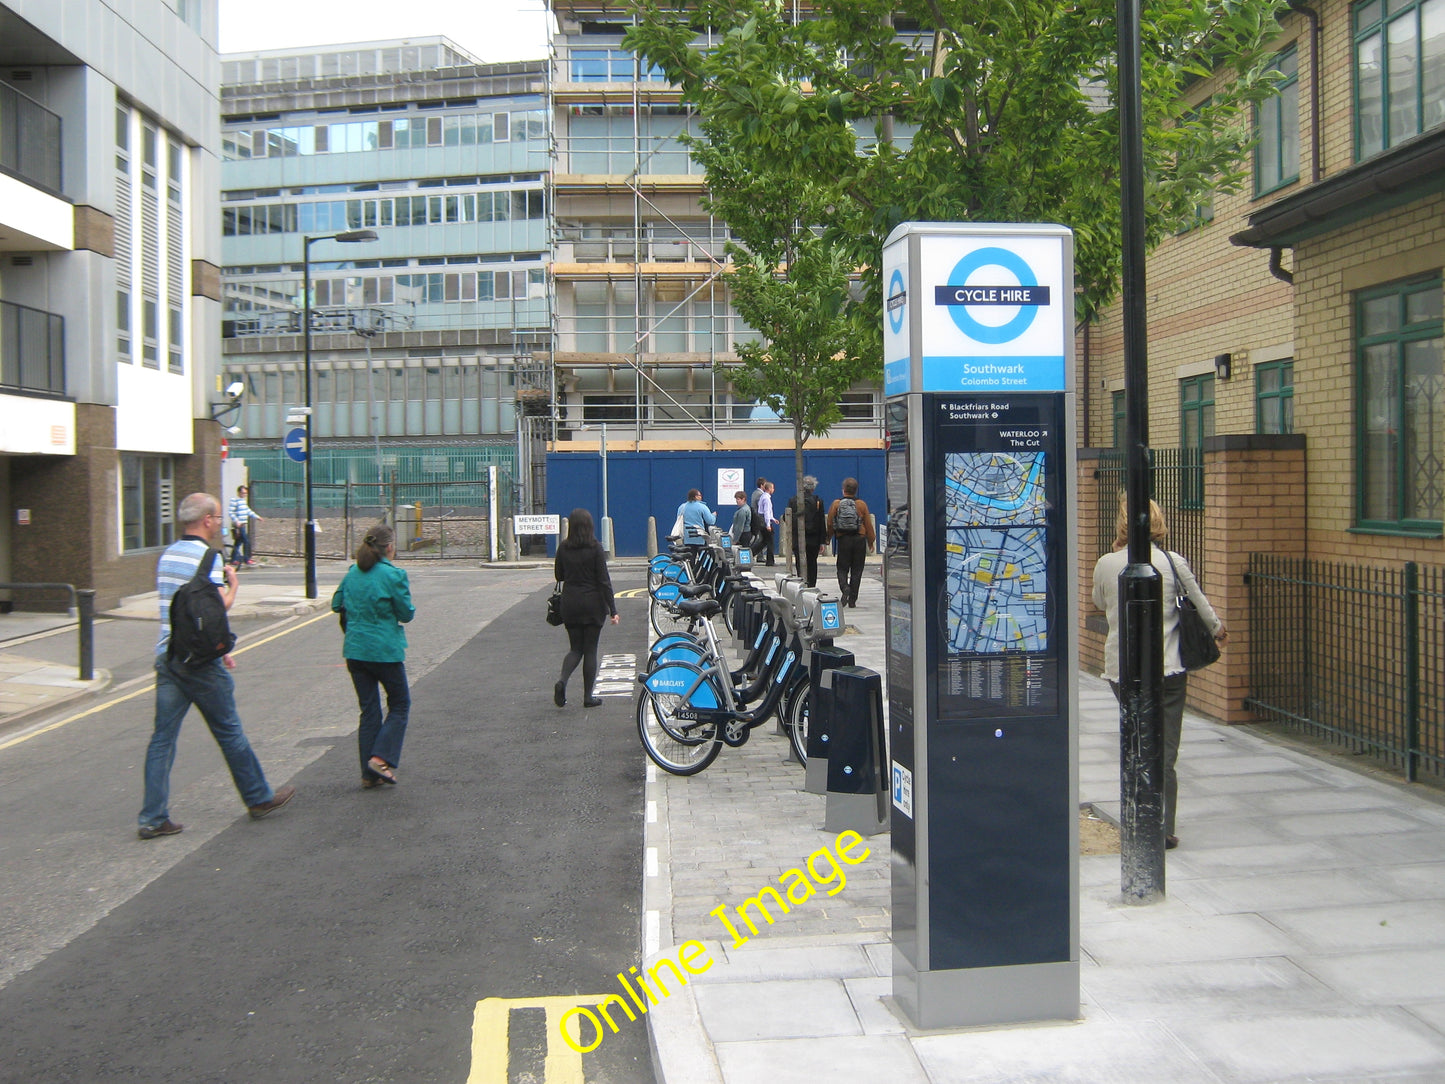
(1303, 937)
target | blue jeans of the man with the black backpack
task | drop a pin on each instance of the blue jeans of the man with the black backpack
(212, 690)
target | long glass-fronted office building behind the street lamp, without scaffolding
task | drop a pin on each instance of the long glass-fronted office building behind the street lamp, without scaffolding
(423, 337)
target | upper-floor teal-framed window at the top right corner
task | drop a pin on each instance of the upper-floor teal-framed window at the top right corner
(1399, 72)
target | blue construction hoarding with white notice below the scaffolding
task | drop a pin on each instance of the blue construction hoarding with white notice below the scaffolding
(642, 485)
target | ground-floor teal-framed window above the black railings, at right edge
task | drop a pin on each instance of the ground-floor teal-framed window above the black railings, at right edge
(1401, 408)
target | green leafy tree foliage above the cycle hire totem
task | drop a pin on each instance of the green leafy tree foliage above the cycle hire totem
(999, 111)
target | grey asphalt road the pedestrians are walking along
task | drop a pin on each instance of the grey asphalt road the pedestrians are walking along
(356, 936)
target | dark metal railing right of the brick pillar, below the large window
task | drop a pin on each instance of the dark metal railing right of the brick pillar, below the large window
(1355, 655)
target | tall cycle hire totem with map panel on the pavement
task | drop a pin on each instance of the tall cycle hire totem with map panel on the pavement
(982, 588)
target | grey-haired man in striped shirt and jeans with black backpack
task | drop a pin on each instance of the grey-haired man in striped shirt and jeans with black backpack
(209, 684)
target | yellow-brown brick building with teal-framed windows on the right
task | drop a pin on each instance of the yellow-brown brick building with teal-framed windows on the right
(1295, 350)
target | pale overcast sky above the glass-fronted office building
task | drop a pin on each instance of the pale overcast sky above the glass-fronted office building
(493, 31)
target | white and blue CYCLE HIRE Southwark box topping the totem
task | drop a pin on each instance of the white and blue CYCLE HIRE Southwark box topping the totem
(978, 307)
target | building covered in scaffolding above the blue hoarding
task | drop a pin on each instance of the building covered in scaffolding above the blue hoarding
(644, 329)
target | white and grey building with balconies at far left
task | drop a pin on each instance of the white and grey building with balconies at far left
(109, 285)
